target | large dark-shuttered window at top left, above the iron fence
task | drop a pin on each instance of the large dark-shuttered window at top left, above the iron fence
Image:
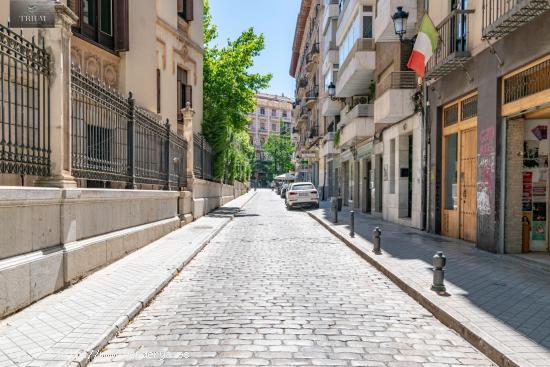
(103, 21)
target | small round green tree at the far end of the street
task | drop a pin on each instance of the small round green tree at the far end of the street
(279, 149)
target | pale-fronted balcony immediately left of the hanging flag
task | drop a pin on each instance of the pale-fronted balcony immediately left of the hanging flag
(394, 97)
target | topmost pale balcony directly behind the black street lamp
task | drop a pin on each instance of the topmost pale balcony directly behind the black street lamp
(383, 23)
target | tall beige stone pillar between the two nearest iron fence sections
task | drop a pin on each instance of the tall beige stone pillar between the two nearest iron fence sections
(58, 45)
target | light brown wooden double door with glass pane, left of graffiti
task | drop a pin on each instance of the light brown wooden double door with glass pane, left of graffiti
(459, 212)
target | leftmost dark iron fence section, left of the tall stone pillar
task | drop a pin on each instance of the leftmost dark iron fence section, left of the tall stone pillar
(24, 107)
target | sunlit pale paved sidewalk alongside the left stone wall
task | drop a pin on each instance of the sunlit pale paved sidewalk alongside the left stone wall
(64, 329)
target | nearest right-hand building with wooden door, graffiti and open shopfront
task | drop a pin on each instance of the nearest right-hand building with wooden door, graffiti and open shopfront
(489, 107)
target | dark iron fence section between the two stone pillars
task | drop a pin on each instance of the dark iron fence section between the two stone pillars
(113, 140)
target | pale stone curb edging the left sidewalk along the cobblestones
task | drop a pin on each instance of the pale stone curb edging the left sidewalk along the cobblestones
(86, 356)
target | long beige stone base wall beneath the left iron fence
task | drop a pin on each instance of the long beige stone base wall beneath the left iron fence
(52, 238)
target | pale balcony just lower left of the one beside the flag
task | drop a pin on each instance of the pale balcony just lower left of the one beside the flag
(356, 125)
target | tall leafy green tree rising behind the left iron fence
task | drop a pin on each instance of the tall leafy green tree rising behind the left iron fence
(229, 91)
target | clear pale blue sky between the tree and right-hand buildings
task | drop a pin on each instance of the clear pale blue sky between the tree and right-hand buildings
(276, 19)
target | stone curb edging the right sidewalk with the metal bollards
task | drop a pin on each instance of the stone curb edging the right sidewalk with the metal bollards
(465, 331)
